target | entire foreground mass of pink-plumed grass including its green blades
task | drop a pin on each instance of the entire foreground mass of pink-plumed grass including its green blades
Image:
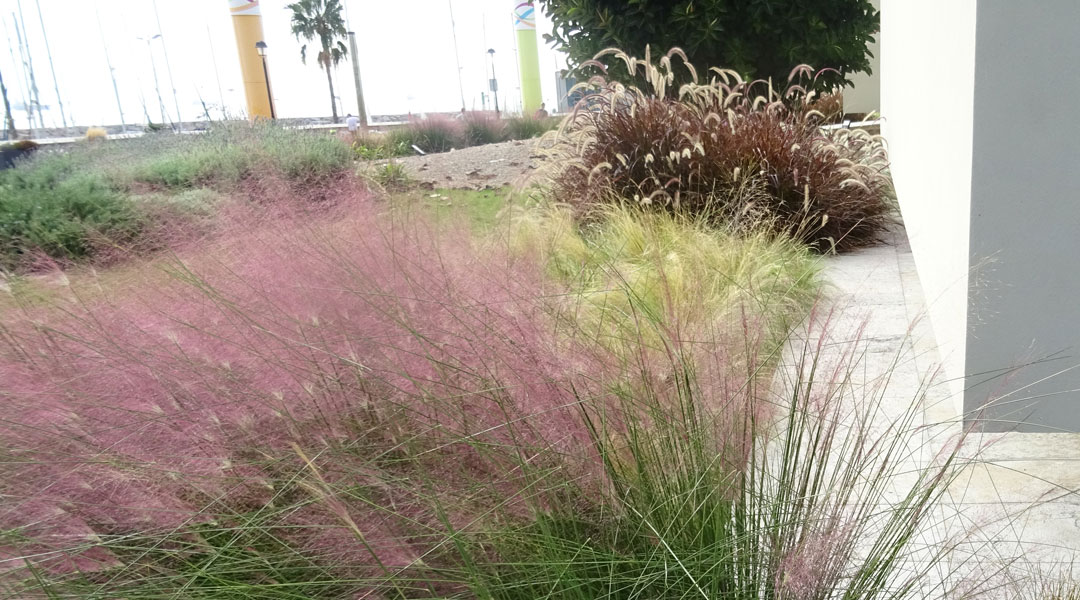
(366, 405)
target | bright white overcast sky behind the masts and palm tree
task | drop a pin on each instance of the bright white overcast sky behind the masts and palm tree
(407, 59)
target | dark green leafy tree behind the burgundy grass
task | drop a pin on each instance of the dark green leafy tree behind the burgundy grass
(758, 38)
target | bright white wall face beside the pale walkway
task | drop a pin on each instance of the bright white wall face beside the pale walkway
(928, 66)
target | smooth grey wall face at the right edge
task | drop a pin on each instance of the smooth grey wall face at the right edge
(1024, 288)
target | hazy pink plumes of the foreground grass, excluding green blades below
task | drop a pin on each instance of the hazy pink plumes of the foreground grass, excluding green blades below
(165, 406)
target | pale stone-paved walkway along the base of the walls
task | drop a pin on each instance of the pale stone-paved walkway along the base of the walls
(1014, 511)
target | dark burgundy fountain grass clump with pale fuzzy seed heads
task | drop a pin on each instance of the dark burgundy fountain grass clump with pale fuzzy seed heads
(736, 151)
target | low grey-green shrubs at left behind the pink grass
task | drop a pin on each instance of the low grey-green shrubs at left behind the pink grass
(74, 206)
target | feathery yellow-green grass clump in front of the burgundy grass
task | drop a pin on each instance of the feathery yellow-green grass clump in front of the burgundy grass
(682, 270)
